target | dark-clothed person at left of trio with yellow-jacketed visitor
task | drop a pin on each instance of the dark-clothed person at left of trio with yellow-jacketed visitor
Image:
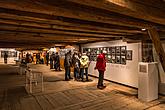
(67, 65)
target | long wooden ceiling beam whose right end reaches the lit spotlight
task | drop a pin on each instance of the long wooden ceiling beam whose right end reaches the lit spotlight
(93, 27)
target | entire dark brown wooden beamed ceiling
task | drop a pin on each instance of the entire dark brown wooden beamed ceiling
(43, 23)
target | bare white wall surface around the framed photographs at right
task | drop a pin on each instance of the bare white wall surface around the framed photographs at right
(125, 74)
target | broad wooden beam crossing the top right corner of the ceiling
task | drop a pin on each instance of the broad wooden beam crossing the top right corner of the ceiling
(134, 8)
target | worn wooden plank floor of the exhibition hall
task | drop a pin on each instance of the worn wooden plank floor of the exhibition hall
(67, 95)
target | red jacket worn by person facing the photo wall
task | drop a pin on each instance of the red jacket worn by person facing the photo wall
(101, 63)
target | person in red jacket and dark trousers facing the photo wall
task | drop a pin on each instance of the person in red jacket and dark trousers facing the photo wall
(101, 65)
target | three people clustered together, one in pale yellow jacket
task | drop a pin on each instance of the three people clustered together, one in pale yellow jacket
(80, 64)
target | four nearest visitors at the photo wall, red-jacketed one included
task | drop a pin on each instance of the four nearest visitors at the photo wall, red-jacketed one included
(81, 64)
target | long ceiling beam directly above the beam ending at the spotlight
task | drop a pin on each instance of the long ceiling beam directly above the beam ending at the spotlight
(62, 14)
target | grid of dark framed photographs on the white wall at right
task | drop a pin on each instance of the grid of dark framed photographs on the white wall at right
(116, 55)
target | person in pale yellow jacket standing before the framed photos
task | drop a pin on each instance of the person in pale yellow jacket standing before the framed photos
(84, 63)
